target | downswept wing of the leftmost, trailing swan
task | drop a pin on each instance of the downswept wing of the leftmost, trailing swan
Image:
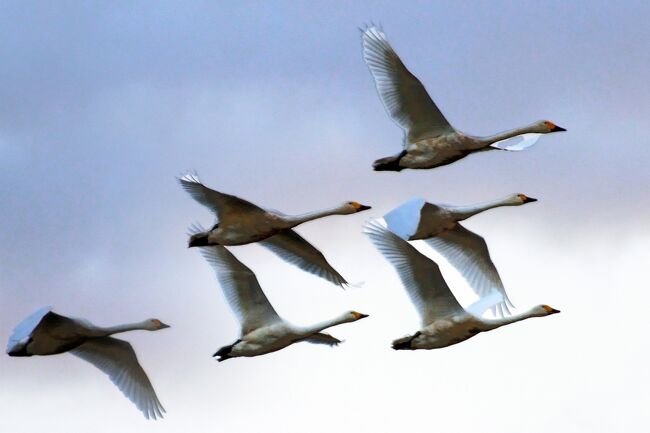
(117, 359)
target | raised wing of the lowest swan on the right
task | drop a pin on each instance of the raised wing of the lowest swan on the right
(420, 275)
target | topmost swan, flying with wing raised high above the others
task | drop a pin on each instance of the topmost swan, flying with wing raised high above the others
(429, 140)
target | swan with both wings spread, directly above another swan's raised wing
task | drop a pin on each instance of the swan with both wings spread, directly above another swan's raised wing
(241, 222)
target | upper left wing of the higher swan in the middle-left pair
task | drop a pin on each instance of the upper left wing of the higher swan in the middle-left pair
(228, 208)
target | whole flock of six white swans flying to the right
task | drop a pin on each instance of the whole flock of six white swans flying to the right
(429, 141)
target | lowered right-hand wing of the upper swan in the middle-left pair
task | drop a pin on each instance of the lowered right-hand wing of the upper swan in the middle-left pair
(293, 248)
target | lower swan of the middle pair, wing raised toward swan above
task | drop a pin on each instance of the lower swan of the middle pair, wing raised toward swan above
(262, 329)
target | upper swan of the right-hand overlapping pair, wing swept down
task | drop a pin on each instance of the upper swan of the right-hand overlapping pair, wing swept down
(438, 226)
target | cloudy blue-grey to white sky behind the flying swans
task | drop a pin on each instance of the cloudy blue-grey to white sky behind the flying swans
(104, 104)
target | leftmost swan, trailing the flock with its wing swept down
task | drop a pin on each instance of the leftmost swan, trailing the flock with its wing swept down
(48, 333)
